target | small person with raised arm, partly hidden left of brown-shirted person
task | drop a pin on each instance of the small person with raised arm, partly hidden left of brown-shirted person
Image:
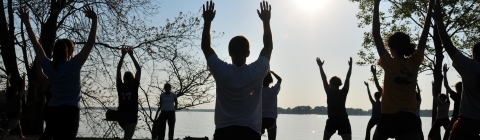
(376, 110)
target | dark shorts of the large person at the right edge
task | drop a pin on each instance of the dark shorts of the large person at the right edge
(465, 128)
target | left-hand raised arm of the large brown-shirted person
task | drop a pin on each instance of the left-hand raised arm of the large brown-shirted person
(376, 29)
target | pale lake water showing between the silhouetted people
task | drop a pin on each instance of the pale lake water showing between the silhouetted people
(290, 126)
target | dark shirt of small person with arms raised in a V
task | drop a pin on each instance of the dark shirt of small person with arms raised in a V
(336, 103)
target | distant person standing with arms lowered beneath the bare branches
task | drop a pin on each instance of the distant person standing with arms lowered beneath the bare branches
(168, 105)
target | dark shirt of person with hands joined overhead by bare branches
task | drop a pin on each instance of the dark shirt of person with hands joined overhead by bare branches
(128, 96)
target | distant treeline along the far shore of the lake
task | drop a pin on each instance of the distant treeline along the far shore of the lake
(322, 110)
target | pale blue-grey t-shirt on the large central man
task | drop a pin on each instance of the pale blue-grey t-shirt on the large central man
(239, 92)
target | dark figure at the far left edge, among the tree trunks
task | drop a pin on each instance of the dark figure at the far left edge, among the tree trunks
(14, 106)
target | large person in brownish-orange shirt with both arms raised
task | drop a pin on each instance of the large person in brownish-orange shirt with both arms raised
(401, 67)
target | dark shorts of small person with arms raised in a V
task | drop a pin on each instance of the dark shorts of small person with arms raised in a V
(342, 124)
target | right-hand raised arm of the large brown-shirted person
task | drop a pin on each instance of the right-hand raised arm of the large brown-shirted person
(426, 27)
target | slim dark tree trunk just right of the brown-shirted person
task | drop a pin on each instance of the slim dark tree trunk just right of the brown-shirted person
(437, 78)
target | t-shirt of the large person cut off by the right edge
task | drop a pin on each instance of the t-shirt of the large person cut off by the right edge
(469, 70)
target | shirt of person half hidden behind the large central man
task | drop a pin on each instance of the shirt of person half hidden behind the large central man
(269, 101)
